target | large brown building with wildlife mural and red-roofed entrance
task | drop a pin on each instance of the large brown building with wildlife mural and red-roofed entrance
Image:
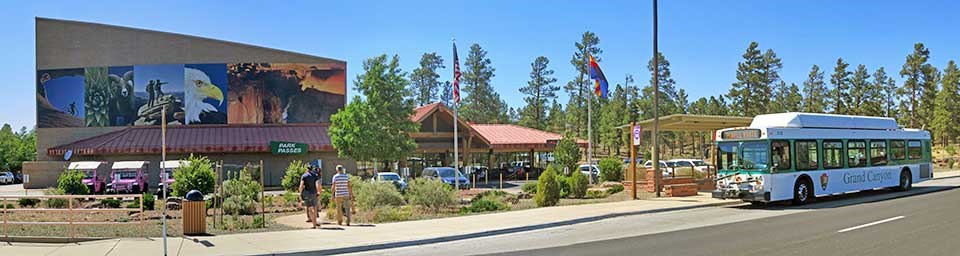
(103, 91)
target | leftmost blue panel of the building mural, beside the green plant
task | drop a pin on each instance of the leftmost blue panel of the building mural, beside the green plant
(60, 101)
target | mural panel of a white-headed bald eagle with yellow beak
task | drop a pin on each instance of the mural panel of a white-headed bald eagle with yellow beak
(204, 89)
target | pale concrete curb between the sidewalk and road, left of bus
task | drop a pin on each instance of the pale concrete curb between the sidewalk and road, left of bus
(392, 245)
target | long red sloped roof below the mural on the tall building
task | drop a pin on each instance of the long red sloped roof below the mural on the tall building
(199, 139)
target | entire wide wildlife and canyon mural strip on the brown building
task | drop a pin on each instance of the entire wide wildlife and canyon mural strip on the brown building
(244, 93)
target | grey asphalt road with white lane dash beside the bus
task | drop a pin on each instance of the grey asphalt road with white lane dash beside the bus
(927, 224)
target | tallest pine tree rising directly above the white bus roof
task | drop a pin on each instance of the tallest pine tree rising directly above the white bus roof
(756, 75)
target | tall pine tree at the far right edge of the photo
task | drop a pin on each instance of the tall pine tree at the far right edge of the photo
(947, 107)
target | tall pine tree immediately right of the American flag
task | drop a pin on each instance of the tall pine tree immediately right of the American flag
(481, 104)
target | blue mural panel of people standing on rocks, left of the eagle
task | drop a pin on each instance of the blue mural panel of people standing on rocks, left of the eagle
(149, 83)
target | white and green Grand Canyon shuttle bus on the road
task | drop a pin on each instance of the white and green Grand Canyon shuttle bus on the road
(800, 156)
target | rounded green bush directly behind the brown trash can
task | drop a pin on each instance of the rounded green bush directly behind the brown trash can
(198, 174)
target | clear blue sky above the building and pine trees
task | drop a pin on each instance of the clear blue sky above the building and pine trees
(702, 39)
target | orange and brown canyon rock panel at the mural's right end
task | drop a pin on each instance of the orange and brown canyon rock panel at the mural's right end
(276, 93)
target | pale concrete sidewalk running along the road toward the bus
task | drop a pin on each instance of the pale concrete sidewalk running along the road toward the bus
(334, 239)
